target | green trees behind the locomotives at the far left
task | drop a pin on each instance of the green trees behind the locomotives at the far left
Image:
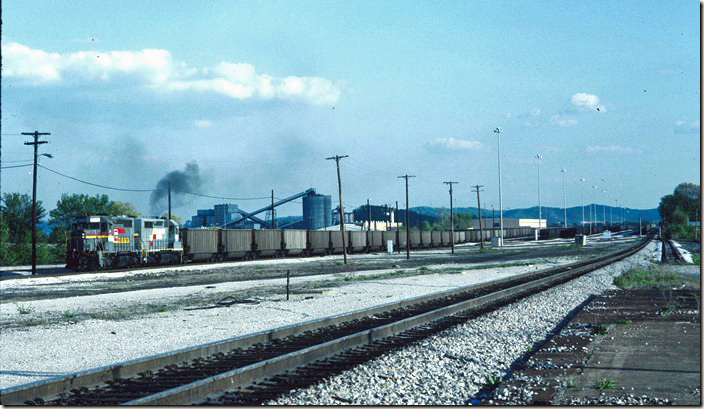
(16, 224)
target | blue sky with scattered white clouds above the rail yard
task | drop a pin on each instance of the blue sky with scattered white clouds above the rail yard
(241, 97)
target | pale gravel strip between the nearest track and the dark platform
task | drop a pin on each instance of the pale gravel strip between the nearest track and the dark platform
(450, 368)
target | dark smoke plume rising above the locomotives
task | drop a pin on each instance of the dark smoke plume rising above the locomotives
(181, 182)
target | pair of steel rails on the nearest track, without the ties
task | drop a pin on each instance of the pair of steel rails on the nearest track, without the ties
(52, 388)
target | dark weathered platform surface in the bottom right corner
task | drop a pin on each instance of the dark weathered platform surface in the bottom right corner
(623, 347)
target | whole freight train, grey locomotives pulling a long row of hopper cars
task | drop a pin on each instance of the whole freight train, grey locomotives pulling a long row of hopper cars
(105, 242)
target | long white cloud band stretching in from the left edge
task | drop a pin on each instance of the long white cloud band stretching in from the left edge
(156, 69)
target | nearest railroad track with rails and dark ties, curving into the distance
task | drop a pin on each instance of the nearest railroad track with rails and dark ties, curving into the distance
(253, 368)
